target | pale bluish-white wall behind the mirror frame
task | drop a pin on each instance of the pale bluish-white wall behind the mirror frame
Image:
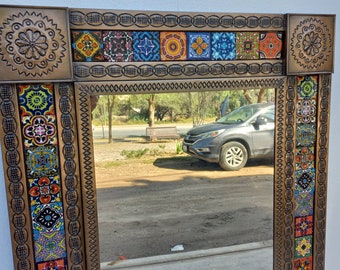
(244, 6)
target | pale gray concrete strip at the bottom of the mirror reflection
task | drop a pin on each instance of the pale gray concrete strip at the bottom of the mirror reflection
(255, 256)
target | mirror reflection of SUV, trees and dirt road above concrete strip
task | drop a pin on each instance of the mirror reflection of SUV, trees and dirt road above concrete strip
(154, 198)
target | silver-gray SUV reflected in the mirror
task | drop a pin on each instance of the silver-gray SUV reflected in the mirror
(245, 133)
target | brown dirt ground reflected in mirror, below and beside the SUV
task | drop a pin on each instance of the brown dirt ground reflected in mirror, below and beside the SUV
(160, 203)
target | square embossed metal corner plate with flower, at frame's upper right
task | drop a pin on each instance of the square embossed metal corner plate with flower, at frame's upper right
(310, 44)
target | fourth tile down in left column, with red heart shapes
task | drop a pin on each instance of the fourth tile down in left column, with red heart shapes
(44, 190)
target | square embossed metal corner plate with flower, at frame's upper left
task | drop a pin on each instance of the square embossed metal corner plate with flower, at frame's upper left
(34, 44)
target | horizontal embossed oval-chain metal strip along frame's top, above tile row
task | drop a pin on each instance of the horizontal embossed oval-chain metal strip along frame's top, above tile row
(148, 20)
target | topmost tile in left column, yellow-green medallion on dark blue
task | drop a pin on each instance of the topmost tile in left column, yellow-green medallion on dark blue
(36, 99)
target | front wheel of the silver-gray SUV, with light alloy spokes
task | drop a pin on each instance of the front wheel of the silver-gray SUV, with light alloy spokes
(233, 156)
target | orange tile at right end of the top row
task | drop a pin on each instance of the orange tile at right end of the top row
(270, 45)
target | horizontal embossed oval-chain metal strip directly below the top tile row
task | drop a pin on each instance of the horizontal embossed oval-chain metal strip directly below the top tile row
(88, 71)
